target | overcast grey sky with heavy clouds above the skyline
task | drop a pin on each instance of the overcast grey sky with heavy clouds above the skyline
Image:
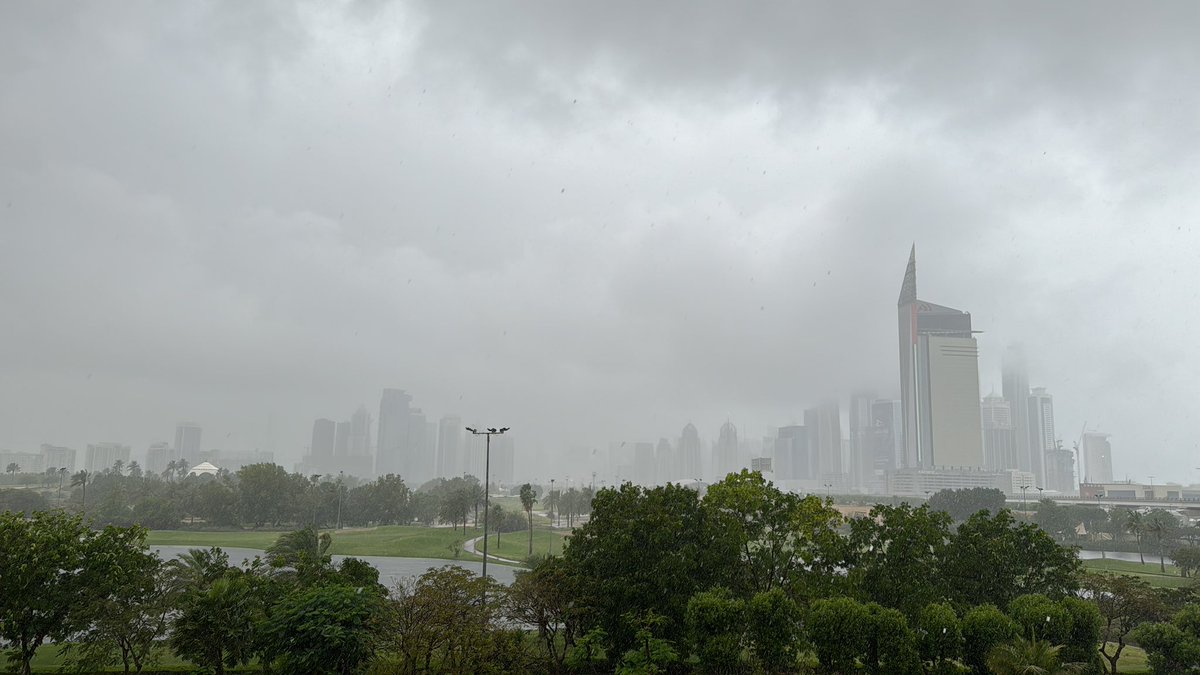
(589, 222)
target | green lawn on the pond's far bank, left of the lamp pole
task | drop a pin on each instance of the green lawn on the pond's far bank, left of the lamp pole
(403, 541)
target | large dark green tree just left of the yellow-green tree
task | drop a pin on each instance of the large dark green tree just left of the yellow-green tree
(647, 549)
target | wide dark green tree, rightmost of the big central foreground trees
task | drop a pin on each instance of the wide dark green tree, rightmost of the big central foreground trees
(993, 559)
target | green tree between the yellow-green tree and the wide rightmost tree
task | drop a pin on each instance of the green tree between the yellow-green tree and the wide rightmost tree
(895, 555)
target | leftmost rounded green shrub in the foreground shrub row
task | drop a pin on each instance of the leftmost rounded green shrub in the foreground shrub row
(716, 625)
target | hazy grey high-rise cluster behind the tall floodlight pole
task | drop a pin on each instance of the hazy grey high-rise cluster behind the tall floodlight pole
(407, 444)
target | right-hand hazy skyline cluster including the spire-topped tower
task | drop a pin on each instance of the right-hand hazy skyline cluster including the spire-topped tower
(938, 435)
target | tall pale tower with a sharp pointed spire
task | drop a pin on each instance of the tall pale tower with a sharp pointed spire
(939, 383)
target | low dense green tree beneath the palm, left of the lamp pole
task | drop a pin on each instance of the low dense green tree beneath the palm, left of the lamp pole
(329, 629)
